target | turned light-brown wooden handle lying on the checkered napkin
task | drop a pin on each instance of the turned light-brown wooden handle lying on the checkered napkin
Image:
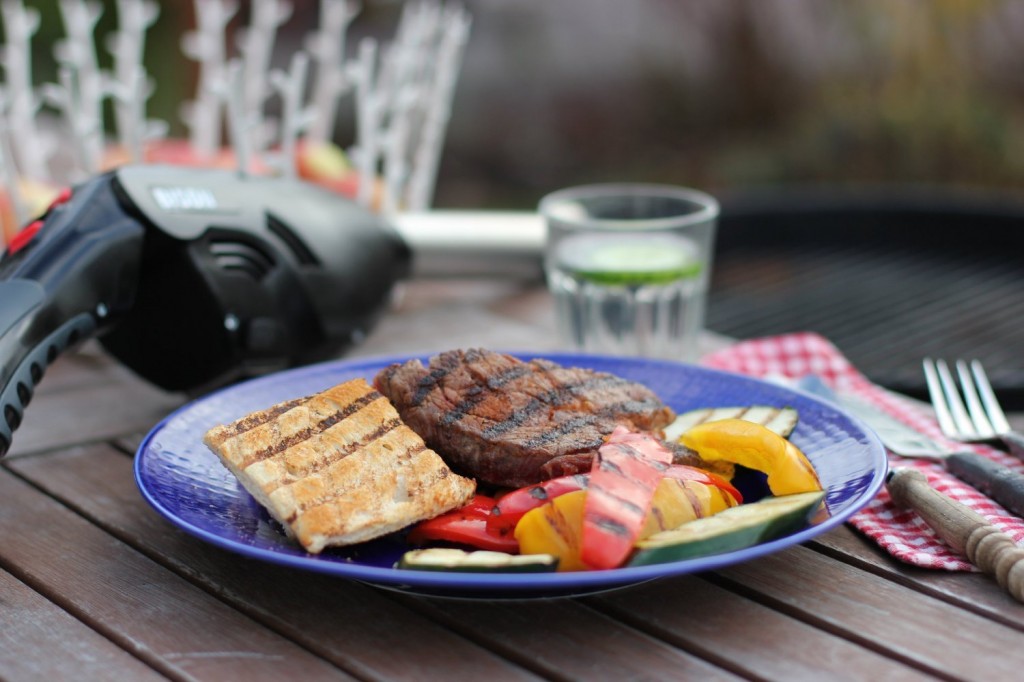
(967, 532)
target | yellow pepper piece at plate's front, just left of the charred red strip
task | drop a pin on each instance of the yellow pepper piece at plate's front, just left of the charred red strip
(557, 529)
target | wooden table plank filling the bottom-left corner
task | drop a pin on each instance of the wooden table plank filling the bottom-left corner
(30, 624)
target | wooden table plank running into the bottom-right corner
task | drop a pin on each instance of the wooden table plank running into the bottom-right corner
(886, 617)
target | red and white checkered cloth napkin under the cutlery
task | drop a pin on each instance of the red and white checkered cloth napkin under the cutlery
(900, 532)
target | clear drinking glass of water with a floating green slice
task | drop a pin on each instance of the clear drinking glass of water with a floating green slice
(629, 268)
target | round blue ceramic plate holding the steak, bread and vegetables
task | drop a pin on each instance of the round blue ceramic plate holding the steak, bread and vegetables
(187, 484)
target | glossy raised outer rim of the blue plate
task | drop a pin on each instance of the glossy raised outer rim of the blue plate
(391, 577)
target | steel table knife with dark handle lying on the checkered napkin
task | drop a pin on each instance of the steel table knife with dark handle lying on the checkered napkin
(999, 483)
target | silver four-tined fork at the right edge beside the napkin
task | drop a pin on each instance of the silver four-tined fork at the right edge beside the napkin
(983, 419)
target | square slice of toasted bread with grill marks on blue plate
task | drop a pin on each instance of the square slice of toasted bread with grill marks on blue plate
(338, 467)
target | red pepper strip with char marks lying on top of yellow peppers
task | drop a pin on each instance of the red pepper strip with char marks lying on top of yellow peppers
(623, 482)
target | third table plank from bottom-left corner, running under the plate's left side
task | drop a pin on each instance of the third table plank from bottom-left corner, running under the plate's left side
(356, 627)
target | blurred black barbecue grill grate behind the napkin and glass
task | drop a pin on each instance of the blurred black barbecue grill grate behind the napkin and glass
(889, 284)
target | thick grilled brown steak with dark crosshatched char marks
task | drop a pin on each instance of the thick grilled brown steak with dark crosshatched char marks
(511, 423)
